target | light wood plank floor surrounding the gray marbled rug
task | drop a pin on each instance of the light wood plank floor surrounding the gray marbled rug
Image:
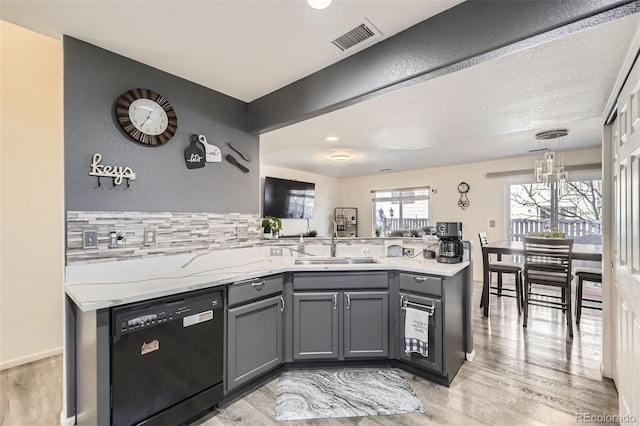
(520, 377)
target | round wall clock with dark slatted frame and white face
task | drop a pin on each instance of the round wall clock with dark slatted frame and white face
(146, 116)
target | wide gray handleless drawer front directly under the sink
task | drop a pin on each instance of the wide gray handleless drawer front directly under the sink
(340, 280)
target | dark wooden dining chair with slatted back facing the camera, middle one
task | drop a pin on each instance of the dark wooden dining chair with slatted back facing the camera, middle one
(547, 262)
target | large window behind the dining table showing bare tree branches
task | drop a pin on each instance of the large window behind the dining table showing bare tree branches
(577, 211)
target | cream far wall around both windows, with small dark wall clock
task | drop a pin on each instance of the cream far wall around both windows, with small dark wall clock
(486, 195)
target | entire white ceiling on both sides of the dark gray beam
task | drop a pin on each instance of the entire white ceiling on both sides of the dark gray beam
(247, 49)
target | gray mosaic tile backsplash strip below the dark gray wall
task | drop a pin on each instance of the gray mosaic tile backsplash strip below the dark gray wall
(175, 233)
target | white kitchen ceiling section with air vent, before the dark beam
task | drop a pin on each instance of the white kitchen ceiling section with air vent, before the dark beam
(243, 48)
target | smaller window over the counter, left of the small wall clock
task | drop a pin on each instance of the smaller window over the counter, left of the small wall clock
(394, 209)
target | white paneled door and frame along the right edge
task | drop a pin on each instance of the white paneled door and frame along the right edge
(620, 343)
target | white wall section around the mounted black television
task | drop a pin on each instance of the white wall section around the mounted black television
(326, 199)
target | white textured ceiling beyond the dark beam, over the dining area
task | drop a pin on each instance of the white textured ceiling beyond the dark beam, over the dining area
(488, 111)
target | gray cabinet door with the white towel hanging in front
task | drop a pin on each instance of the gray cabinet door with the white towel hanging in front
(434, 360)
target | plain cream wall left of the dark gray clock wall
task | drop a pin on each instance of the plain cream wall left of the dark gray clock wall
(31, 196)
